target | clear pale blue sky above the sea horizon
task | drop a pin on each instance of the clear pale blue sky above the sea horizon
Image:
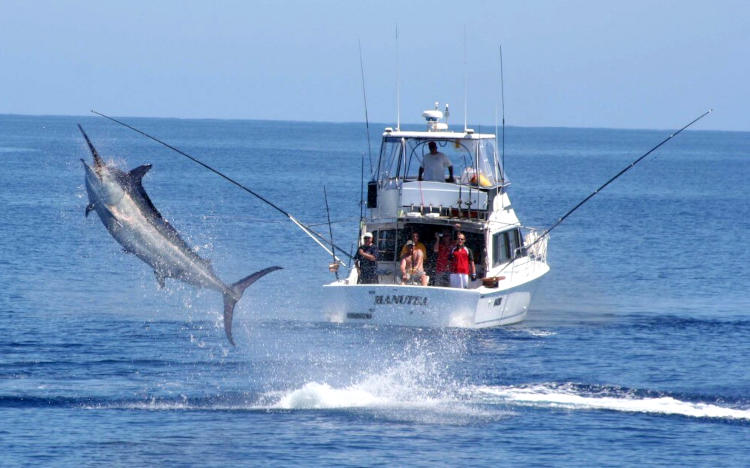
(606, 64)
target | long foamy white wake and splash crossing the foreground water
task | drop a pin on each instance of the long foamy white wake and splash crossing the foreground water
(389, 398)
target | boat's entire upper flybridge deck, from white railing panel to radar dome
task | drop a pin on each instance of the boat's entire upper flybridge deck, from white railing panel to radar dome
(400, 183)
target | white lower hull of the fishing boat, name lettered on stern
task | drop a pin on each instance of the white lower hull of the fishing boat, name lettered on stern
(430, 306)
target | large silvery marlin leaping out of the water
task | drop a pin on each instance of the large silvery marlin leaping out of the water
(127, 212)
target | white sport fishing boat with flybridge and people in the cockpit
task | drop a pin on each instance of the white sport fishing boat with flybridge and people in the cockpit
(510, 259)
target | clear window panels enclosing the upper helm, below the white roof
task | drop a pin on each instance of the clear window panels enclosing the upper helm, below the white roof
(402, 157)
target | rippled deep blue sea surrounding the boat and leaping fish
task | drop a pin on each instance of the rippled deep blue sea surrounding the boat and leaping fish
(636, 350)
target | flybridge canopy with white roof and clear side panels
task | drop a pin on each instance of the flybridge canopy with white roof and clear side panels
(402, 152)
